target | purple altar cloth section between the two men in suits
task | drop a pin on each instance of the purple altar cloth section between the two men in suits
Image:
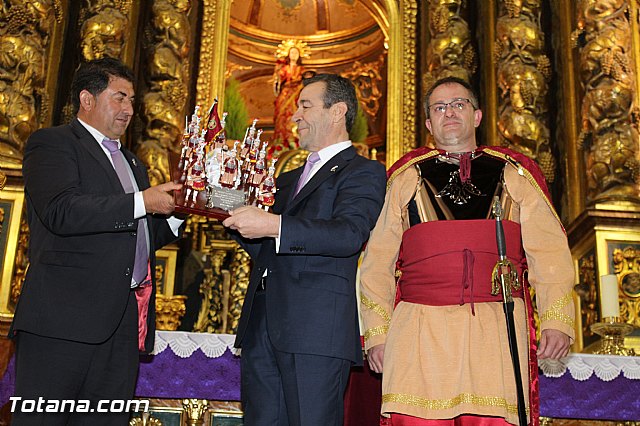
(166, 375)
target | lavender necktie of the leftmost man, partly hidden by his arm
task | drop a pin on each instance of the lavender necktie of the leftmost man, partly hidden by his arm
(140, 267)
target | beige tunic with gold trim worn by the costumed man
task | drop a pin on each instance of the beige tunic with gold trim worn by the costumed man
(442, 361)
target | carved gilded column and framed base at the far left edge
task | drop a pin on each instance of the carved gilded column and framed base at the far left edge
(30, 45)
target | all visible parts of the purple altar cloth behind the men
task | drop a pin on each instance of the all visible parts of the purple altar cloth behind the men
(166, 375)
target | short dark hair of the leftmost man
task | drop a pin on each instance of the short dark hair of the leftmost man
(94, 76)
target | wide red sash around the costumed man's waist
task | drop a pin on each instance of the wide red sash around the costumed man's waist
(450, 262)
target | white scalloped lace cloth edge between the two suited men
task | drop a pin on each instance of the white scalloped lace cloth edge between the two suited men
(184, 344)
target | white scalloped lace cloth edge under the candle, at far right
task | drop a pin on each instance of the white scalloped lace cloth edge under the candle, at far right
(583, 366)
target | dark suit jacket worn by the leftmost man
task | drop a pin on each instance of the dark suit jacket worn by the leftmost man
(83, 238)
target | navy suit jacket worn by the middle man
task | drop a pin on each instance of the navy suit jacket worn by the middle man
(311, 296)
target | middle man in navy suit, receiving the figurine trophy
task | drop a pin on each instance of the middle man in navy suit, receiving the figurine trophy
(299, 328)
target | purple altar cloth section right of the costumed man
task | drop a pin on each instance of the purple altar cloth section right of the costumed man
(594, 399)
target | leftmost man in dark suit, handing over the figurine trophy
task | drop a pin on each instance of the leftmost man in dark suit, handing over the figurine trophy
(87, 305)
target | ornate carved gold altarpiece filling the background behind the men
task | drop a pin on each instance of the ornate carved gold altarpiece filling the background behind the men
(559, 81)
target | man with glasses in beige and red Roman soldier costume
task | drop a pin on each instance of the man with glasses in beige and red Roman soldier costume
(431, 323)
